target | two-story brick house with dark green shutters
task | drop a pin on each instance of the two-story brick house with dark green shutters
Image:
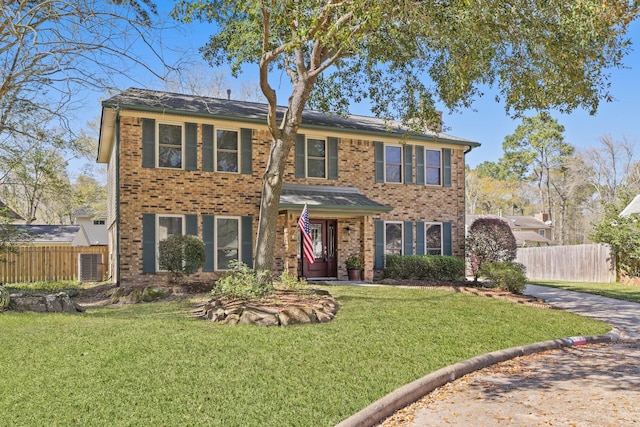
(194, 165)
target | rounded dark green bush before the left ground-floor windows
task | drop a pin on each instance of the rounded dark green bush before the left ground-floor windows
(181, 255)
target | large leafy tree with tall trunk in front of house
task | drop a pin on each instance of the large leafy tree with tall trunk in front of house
(402, 56)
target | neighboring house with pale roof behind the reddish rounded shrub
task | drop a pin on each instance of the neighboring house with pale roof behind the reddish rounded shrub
(529, 231)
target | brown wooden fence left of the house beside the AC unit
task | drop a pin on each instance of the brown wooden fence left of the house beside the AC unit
(47, 263)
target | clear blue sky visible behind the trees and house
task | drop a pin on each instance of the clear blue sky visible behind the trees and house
(486, 122)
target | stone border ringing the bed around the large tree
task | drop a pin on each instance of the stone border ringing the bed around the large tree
(284, 308)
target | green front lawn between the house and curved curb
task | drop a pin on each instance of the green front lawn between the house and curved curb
(149, 364)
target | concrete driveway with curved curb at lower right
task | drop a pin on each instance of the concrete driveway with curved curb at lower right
(552, 383)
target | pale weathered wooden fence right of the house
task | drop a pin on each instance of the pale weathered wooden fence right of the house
(578, 263)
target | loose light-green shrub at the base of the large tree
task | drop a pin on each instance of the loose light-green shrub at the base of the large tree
(242, 282)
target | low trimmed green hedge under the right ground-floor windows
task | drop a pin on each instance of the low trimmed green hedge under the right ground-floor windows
(424, 267)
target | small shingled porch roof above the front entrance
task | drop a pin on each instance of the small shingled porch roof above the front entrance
(329, 200)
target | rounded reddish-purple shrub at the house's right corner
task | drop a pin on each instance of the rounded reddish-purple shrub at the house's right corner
(489, 240)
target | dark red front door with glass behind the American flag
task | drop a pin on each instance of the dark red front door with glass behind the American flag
(323, 234)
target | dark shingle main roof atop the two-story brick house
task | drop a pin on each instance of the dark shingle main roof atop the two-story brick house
(193, 105)
